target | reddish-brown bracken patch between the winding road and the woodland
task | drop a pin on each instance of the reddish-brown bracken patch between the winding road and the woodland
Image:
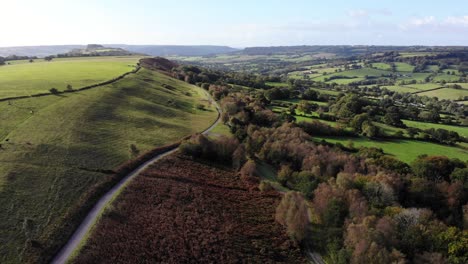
(215, 215)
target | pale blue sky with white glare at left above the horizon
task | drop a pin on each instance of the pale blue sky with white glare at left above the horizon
(235, 23)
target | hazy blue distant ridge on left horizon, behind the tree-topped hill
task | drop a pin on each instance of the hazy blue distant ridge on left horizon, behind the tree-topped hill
(153, 50)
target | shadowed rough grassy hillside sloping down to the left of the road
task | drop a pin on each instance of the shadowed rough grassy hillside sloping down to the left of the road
(55, 148)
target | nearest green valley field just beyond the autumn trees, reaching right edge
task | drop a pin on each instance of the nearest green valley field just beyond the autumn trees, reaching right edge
(404, 150)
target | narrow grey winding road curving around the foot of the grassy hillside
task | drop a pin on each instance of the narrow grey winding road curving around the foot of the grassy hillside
(80, 234)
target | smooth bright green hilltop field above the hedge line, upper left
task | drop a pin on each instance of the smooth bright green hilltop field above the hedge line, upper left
(24, 78)
